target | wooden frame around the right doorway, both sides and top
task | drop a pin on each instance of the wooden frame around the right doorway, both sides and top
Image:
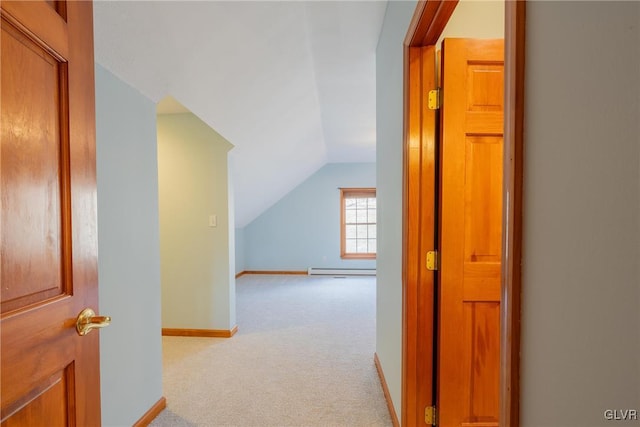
(427, 24)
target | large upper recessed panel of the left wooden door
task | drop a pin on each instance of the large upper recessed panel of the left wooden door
(34, 174)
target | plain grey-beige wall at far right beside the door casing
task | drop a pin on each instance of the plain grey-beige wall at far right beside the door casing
(580, 339)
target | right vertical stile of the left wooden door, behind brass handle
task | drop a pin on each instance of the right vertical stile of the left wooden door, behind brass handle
(82, 156)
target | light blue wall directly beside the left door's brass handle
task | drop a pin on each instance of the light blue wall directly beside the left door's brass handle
(128, 243)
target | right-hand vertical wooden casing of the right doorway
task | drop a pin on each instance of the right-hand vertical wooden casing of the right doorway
(514, 144)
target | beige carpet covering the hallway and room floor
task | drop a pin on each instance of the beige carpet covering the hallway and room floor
(303, 356)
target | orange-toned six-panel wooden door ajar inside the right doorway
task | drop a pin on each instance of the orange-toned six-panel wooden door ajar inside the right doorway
(468, 374)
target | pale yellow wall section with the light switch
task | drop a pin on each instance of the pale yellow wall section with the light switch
(198, 283)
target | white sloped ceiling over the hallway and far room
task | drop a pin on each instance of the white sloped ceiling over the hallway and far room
(291, 84)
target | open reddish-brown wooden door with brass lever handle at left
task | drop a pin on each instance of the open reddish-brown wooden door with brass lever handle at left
(48, 256)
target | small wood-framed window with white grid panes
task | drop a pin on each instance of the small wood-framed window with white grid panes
(358, 223)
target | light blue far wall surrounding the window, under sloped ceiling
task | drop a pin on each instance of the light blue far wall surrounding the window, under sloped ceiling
(302, 230)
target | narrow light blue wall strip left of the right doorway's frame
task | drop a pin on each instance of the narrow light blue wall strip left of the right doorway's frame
(389, 122)
